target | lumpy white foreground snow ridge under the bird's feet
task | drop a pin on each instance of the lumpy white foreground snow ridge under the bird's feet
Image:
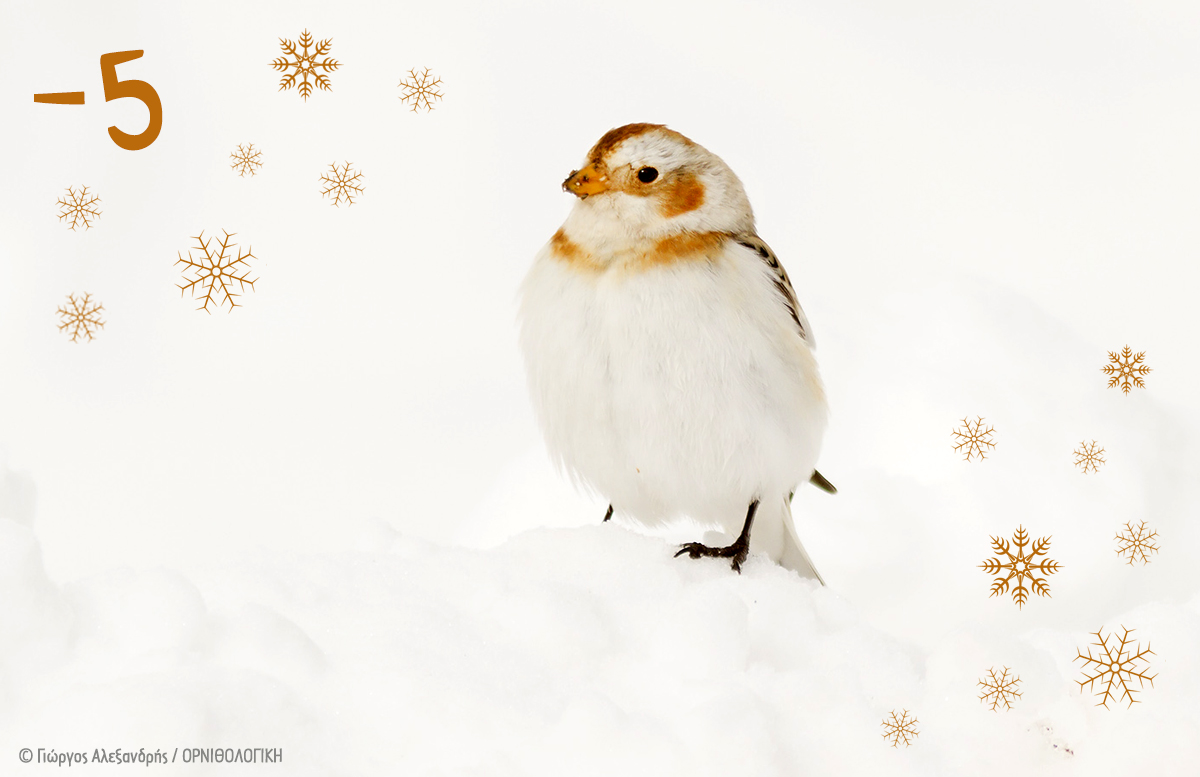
(563, 652)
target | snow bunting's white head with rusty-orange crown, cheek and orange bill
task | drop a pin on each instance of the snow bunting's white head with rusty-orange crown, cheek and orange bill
(646, 182)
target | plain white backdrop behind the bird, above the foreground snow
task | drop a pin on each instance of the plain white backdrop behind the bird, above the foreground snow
(975, 202)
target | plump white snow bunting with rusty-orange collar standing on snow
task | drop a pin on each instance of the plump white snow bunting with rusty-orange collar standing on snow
(670, 364)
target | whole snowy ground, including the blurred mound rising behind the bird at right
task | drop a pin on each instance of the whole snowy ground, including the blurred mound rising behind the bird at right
(590, 650)
